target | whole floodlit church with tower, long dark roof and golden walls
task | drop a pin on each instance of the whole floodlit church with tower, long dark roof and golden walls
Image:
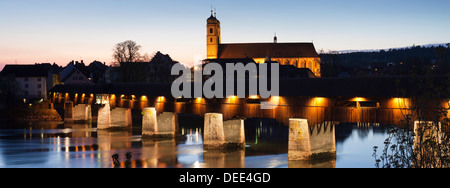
(300, 55)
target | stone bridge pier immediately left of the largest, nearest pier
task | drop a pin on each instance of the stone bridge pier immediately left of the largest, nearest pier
(219, 134)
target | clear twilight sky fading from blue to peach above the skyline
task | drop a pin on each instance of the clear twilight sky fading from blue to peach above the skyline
(37, 31)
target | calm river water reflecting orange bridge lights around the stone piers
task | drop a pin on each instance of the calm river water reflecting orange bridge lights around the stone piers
(57, 145)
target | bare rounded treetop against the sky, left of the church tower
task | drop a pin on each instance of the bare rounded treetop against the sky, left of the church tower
(127, 51)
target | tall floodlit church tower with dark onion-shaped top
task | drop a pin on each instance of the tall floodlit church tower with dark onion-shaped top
(212, 37)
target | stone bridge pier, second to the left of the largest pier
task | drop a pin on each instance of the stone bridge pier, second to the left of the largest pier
(164, 125)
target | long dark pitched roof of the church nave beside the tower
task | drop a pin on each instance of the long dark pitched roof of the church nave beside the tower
(262, 50)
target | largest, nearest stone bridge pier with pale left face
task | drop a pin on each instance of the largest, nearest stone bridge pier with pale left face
(310, 143)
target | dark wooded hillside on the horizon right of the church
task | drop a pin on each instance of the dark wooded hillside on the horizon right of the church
(395, 61)
